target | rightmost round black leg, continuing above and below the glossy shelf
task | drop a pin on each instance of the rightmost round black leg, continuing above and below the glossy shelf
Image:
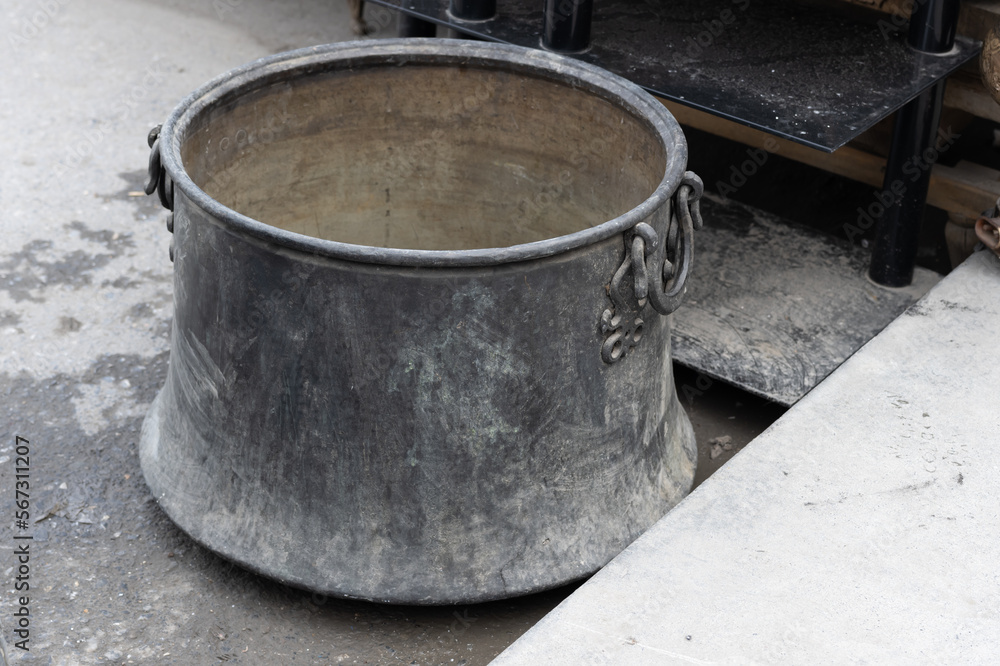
(915, 147)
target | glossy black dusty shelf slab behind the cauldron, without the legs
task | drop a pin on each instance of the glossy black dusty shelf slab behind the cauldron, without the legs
(811, 73)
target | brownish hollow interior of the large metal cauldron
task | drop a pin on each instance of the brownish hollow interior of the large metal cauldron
(423, 156)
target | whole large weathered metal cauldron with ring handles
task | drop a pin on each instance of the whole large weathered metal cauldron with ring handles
(409, 362)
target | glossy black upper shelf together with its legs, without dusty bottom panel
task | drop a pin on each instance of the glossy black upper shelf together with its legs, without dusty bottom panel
(804, 71)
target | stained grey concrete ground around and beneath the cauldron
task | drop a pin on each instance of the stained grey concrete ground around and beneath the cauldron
(85, 307)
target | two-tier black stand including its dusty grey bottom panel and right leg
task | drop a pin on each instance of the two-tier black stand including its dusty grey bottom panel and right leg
(773, 322)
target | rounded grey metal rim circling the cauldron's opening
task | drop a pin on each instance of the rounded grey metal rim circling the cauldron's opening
(535, 62)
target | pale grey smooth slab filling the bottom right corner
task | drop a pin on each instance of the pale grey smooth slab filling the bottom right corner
(863, 527)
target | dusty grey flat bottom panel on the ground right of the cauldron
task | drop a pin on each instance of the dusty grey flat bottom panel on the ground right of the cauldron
(774, 307)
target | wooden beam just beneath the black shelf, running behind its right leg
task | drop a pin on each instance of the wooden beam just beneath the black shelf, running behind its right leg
(964, 191)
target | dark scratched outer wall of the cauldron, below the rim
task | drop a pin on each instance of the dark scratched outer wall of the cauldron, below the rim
(413, 435)
